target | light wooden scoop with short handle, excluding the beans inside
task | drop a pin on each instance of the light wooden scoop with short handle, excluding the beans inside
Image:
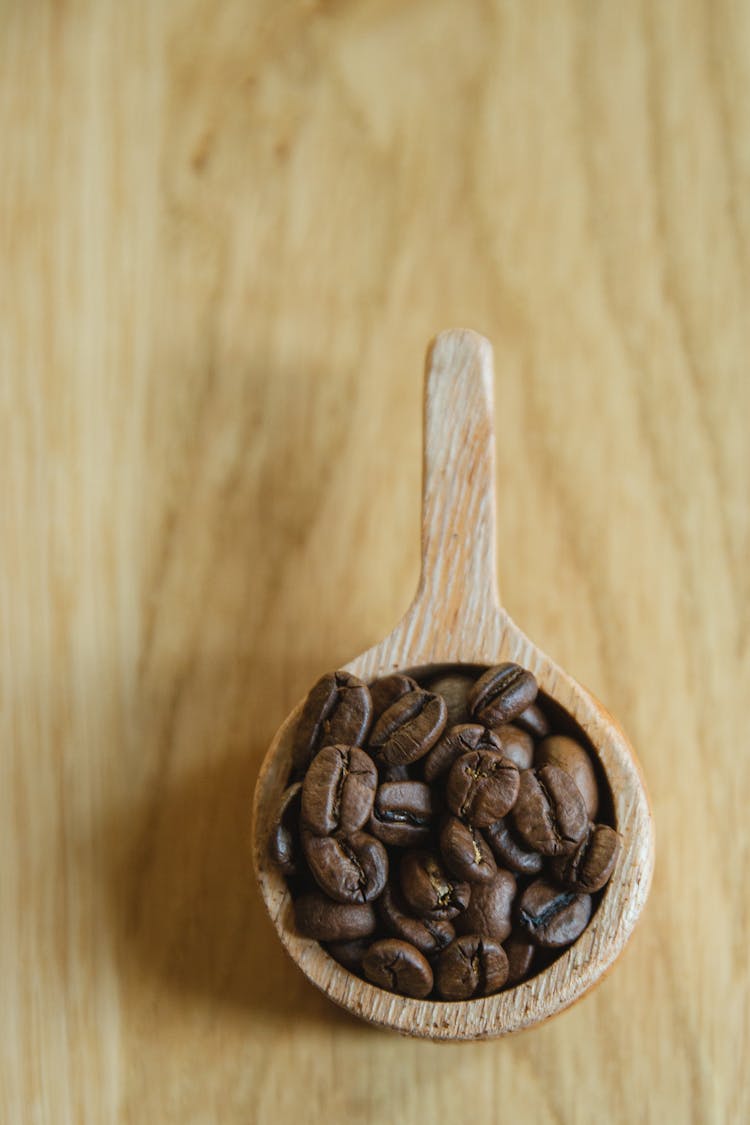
(456, 618)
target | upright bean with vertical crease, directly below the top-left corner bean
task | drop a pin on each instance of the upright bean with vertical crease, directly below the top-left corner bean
(339, 790)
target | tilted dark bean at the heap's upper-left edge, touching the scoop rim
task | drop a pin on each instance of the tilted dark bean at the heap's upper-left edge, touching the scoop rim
(338, 710)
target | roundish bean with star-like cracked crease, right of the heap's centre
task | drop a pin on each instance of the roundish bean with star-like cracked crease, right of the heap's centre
(482, 787)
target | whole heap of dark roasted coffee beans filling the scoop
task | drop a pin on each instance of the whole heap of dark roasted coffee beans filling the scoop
(439, 836)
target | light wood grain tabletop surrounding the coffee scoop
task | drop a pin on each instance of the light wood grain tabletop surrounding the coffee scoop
(229, 230)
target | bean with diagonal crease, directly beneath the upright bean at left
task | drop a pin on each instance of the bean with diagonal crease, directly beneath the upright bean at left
(349, 868)
